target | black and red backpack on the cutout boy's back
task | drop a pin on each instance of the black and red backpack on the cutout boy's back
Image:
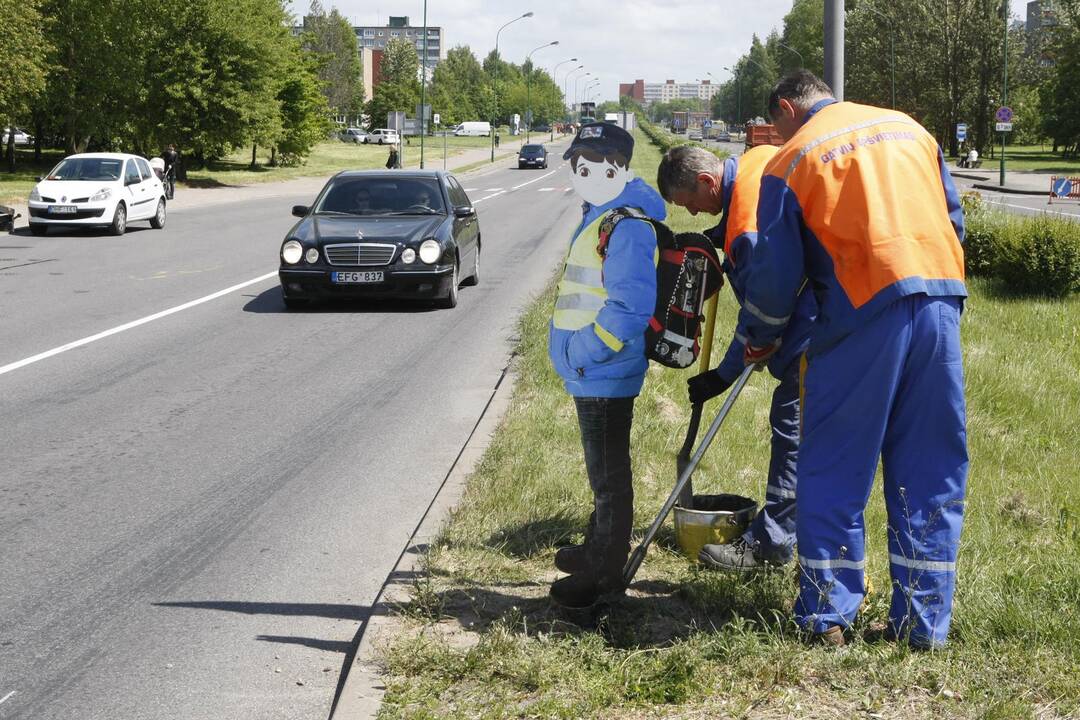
(688, 274)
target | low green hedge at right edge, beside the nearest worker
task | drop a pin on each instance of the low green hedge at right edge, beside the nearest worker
(1031, 255)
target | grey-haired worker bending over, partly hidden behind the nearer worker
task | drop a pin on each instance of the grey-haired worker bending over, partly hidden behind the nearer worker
(698, 181)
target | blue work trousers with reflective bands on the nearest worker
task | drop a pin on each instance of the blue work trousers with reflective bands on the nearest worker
(894, 390)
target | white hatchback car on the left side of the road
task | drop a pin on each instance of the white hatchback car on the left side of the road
(104, 189)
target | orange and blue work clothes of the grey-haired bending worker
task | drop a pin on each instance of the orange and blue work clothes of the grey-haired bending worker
(773, 532)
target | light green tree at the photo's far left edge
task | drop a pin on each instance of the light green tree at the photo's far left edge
(23, 59)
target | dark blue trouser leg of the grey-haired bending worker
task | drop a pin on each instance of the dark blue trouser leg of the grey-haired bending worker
(773, 532)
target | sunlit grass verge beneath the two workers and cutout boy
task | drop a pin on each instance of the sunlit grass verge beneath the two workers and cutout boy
(481, 640)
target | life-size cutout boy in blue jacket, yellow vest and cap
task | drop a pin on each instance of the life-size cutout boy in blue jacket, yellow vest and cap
(597, 344)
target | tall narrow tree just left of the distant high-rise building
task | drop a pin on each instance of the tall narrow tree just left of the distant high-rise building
(332, 39)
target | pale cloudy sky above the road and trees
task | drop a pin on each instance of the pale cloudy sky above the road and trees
(616, 42)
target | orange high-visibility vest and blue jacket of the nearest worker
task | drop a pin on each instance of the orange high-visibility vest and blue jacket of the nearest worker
(860, 203)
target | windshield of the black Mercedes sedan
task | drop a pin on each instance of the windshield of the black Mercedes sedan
(382, 196)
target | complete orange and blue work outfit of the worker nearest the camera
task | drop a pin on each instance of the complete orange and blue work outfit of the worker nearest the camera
(859, 203)
